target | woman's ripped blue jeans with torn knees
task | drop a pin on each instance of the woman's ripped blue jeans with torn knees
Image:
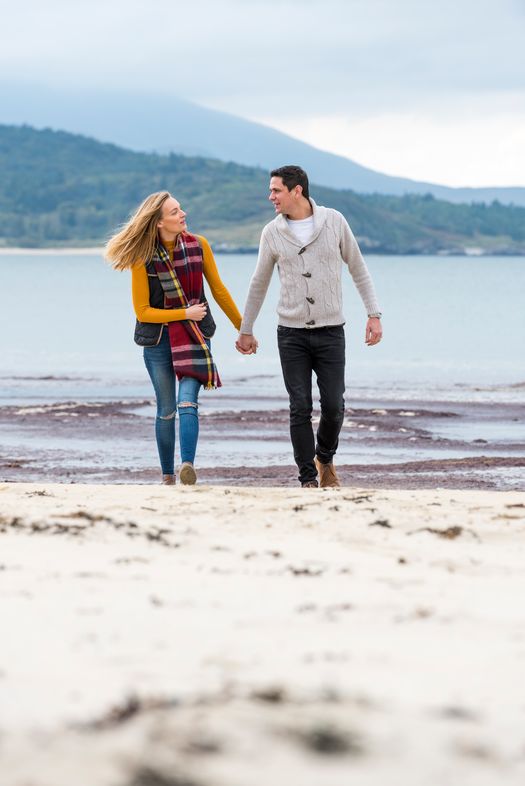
(160, 369)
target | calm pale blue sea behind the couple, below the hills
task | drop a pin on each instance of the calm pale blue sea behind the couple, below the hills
(454, 329)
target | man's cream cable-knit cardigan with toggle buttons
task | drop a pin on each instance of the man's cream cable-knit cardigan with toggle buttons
(310, 275)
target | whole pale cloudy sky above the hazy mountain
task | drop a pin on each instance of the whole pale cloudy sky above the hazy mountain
(429, 90)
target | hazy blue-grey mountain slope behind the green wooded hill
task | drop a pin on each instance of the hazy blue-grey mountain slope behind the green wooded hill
(149, 122)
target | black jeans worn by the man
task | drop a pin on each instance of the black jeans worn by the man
(303, 351)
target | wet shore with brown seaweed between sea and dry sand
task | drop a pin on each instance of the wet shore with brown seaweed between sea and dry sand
(410, 445)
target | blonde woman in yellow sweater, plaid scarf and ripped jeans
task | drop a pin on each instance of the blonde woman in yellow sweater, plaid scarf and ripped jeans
(173, 325)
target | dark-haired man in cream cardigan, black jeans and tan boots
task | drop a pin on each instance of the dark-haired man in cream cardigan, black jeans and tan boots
(309, 243)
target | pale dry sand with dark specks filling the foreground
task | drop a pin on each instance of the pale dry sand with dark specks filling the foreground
(221, 636)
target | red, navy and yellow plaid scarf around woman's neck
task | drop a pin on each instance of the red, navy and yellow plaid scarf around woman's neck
(181, 280)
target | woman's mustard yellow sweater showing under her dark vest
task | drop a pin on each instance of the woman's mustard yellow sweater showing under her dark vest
(140, 291)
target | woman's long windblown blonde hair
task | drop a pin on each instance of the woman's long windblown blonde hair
(135, 242)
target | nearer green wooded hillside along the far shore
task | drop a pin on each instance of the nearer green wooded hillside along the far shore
(60, 189)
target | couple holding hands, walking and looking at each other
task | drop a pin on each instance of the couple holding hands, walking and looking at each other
(309, 244)
